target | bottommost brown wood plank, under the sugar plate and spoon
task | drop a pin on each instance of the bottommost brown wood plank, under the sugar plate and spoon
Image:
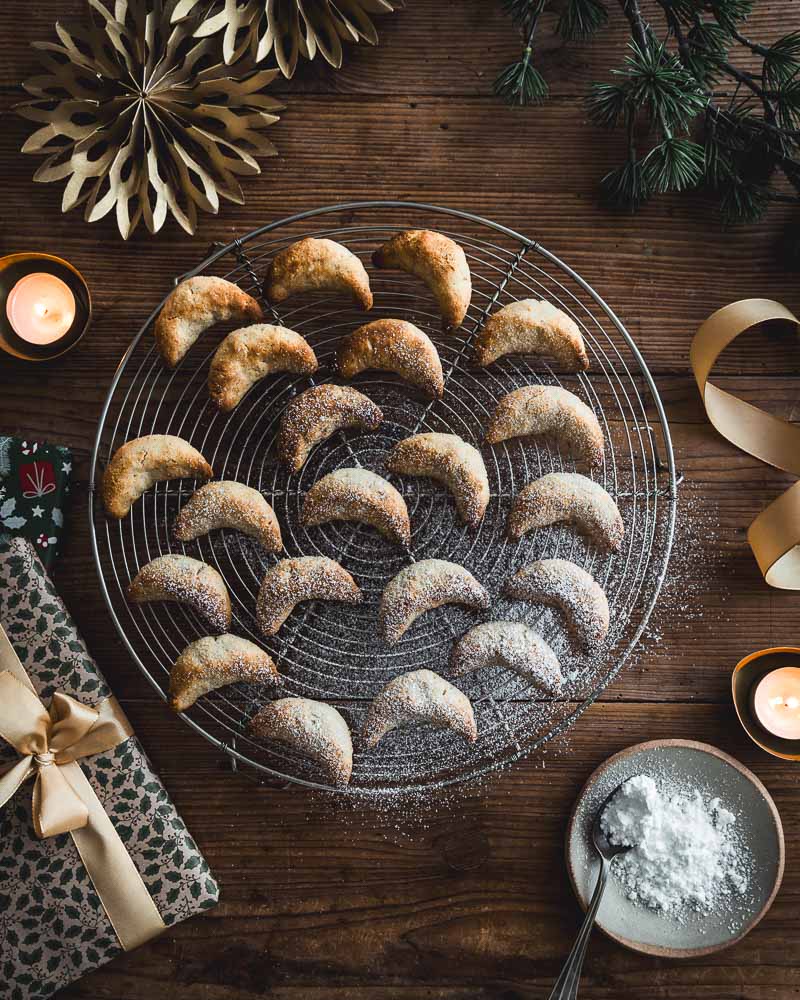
(467, 899)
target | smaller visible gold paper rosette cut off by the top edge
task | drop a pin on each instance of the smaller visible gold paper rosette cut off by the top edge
(291, 28)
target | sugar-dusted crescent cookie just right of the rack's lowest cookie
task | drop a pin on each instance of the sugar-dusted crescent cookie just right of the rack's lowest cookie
(420, 696)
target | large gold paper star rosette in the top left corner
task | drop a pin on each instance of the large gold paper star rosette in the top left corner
(140, 117)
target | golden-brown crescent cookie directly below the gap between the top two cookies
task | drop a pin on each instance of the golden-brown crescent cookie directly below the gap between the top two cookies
(396, 346)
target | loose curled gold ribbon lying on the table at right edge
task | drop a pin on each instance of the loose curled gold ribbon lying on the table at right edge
(774, 536)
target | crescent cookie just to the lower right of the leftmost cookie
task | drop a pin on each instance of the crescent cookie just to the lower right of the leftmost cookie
(227, 504)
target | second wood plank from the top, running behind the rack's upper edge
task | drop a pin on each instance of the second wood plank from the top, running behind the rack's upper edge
(395, 151)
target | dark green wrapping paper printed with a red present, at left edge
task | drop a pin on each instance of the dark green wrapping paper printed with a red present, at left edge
(34, 492)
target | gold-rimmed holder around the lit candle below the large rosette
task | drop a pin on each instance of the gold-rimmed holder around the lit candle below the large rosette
(15, 267)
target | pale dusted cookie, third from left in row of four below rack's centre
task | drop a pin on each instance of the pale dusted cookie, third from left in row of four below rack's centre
(423, 586)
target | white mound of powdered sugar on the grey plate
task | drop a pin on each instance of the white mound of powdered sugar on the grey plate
(686, 855)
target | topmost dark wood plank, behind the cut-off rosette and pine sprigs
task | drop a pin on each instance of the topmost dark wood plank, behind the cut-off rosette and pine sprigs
(455, 49)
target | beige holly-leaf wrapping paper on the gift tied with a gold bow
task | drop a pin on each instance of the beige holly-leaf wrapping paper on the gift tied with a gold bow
(53, 928)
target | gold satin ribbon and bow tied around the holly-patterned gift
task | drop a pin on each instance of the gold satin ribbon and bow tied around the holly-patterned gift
(50, 743)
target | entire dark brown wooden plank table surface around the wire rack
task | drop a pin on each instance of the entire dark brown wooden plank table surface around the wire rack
(321, 902)
